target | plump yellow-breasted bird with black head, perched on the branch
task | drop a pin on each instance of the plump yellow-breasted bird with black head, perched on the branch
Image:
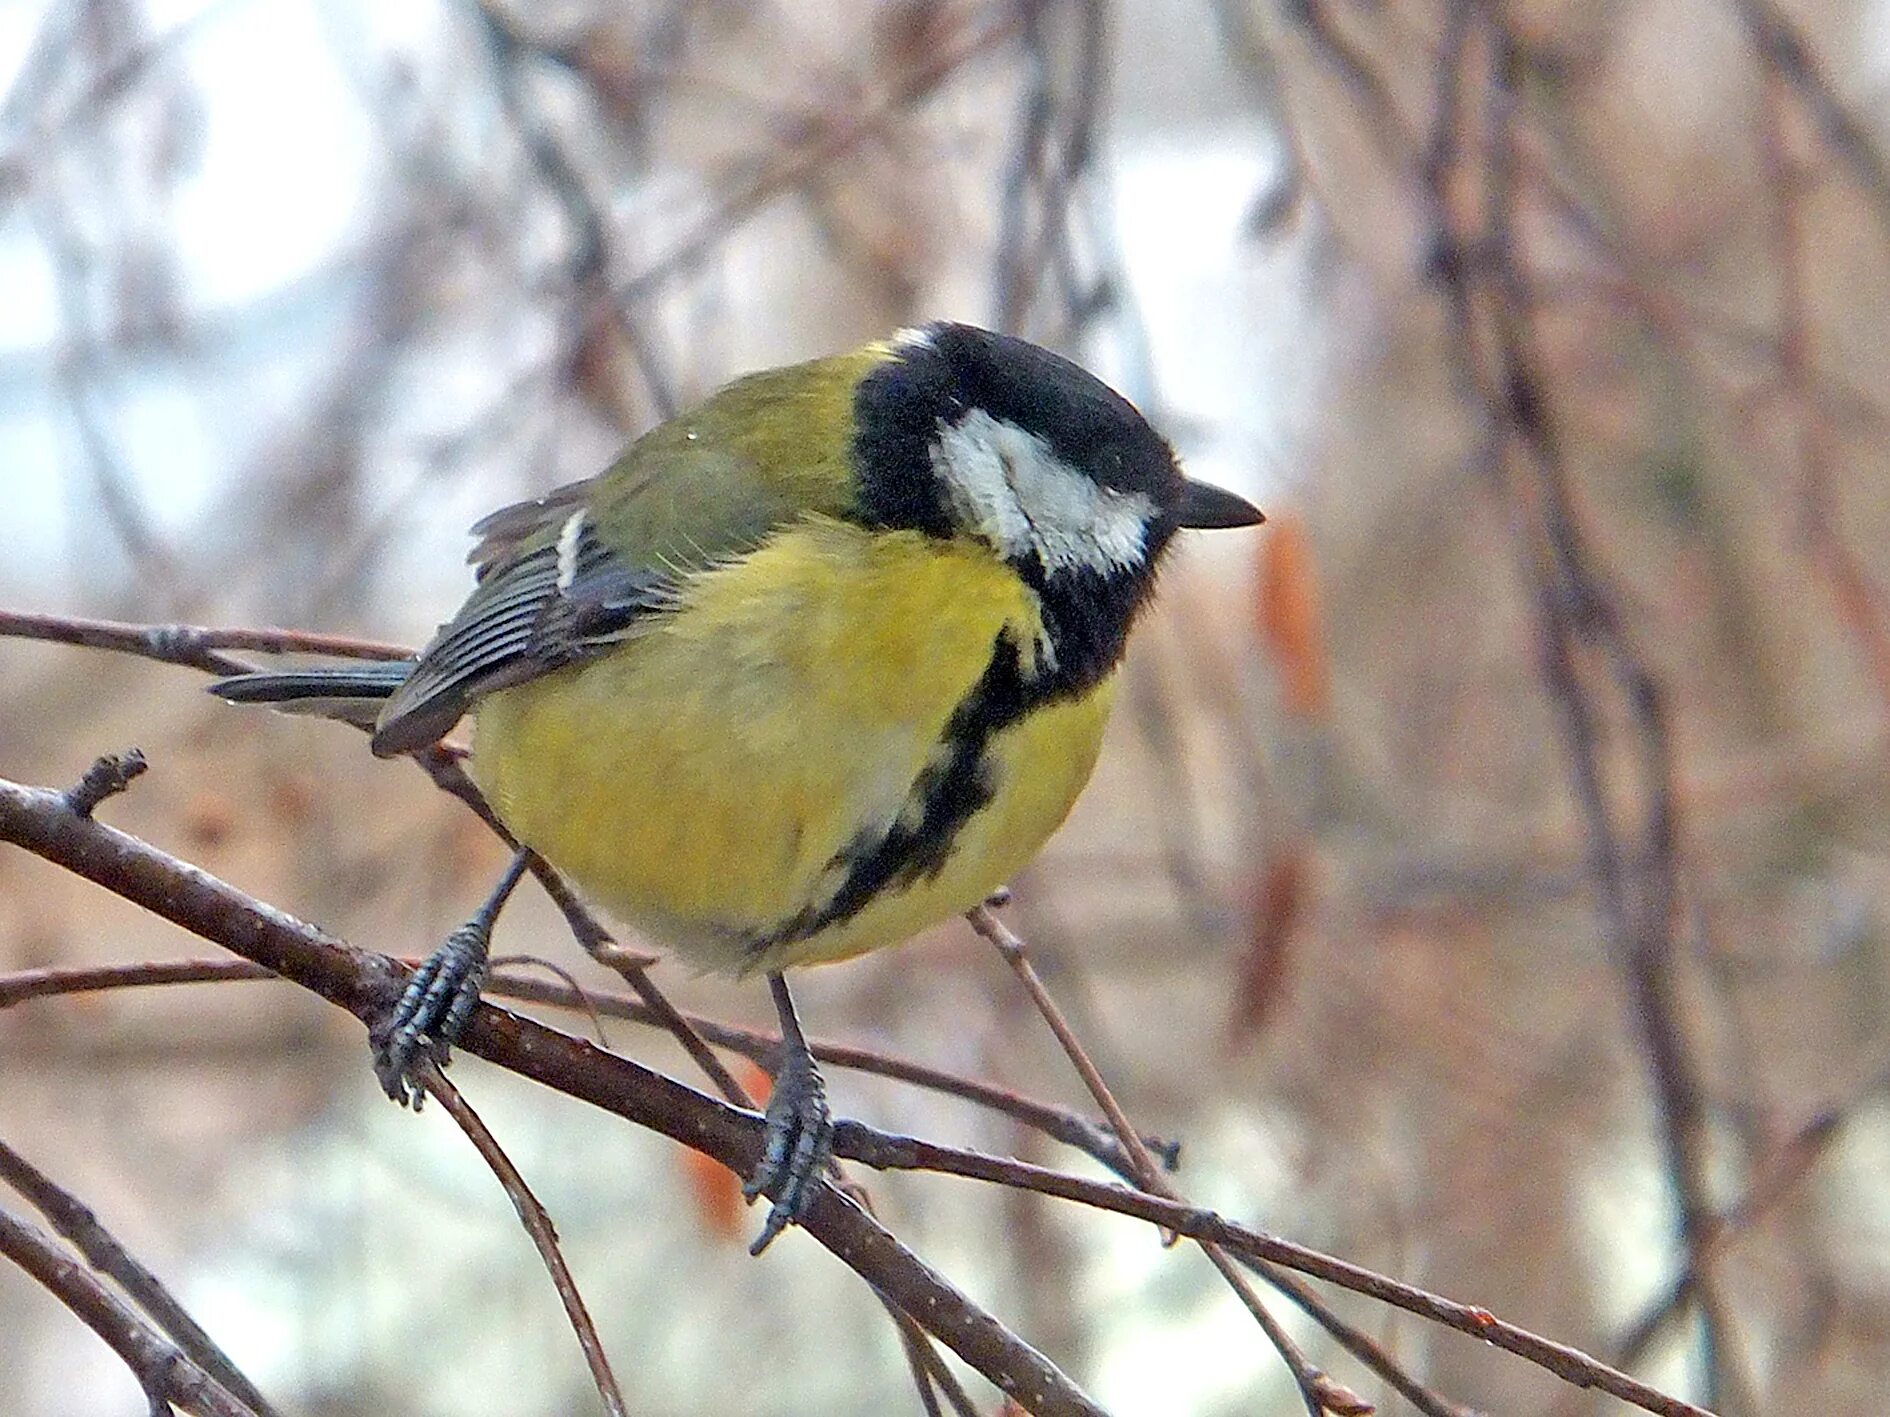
(806, 670)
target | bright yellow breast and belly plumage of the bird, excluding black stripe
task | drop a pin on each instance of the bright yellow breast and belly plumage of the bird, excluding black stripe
(712, 779)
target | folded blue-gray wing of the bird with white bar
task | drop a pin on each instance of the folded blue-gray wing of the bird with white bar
(549, 594)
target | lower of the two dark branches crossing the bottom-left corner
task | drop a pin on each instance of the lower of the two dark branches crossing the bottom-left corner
(167, 1376)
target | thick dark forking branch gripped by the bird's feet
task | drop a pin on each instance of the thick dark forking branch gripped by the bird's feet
(368, 985)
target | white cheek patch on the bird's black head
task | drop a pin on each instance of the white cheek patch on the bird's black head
(1010, 488)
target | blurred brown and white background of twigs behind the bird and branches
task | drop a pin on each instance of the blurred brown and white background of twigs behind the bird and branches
(1488, 872)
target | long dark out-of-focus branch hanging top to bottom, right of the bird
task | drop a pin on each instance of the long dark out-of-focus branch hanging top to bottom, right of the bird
(1632, 834)
